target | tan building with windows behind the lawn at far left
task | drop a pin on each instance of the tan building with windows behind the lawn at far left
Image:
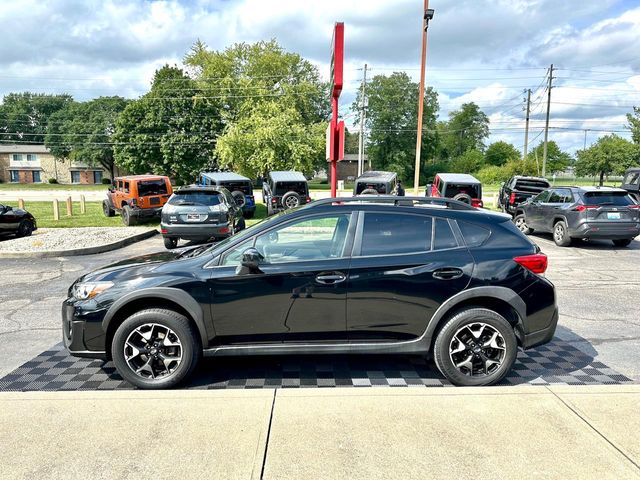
(35, 164)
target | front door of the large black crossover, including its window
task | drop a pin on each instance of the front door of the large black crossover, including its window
(299, 293)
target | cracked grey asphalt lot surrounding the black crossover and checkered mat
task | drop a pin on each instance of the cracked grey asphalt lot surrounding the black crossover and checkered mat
(596, 283)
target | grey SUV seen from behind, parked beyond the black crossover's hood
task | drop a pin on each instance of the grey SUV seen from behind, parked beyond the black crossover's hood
(200, 213)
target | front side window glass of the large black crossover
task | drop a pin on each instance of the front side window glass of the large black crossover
(317, 238)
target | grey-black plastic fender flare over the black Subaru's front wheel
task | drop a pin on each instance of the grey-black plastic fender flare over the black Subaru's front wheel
(175, 295)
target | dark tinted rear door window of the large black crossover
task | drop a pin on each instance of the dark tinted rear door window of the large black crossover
(387, 234)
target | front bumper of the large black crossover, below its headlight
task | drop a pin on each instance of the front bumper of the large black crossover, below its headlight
(82, 332)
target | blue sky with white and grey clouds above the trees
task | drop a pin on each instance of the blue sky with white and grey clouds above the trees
(488, 52)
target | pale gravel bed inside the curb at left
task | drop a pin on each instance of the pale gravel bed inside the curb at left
(55, 239)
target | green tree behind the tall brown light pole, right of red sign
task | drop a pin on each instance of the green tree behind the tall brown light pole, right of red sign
(392, 122)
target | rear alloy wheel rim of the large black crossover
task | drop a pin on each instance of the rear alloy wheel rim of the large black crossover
(477, 349)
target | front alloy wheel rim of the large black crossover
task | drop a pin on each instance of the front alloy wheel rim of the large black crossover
(153, 351)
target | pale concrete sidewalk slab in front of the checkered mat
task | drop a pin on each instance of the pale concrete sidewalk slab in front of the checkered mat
(499, 432)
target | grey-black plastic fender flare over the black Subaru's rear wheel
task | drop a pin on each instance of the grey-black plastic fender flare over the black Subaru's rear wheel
(502, 293)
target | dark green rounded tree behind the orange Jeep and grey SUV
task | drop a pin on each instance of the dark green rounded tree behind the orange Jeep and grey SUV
(170, 131)
